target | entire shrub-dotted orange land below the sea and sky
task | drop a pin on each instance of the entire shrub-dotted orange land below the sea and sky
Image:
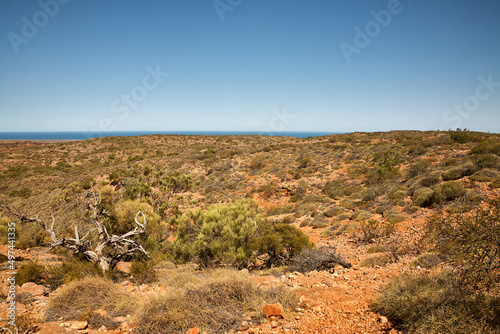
(388, 232)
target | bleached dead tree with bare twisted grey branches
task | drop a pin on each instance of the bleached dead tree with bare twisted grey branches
(97, 245)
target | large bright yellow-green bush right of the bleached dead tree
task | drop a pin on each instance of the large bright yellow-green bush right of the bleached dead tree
(234, 234)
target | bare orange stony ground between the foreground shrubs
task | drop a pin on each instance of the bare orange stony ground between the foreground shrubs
(337, 302)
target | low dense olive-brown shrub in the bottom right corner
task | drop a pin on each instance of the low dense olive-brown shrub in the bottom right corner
(435, 305)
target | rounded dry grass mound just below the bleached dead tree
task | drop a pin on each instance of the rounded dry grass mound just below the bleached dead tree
(80, 299)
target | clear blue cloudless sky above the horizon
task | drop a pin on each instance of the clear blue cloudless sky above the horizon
(241, 65)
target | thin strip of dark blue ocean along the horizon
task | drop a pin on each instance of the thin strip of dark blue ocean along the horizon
(87, 135)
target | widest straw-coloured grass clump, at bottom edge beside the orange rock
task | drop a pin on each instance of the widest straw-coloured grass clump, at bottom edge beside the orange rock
(214, 302)
